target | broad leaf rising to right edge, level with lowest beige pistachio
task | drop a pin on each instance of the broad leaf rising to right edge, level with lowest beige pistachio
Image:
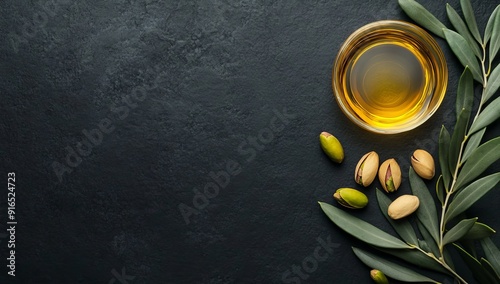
(469, 195)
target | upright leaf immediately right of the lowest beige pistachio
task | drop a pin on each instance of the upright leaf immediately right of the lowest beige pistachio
(426, 211)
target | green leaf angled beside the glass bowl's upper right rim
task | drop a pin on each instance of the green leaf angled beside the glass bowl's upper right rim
(464, 53)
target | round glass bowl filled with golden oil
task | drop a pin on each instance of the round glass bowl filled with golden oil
(389, 77)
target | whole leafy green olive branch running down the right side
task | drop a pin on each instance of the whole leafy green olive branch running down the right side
(463, 159)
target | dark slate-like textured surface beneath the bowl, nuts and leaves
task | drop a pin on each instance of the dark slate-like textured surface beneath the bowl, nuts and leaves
(201, 79)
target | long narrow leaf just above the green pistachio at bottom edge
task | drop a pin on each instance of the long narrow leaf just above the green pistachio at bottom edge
(393, 270)
